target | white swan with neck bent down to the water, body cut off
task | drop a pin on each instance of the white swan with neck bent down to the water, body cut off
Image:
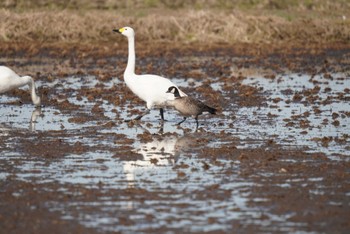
(10, 80)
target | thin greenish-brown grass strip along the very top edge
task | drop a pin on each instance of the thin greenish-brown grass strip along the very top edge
(318, 5)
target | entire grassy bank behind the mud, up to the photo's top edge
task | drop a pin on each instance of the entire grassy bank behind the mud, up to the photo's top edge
(183, 22)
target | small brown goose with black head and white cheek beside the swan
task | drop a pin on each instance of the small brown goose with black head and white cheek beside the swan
(188, 106)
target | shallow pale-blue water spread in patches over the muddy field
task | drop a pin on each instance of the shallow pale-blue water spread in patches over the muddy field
(171, 163)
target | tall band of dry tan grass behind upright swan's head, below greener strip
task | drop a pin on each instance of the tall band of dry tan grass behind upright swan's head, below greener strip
(182, 26)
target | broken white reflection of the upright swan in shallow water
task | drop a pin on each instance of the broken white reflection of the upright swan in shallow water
(156, 159)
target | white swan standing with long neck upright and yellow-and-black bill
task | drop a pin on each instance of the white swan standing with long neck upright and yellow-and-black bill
(150, 88)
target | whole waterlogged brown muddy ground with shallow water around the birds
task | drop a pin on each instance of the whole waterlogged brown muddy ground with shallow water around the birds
(275, 159)
